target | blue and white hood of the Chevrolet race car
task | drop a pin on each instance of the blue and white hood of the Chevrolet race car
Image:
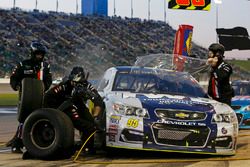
(175, 102)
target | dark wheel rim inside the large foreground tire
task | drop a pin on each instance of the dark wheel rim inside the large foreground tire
(43, 134)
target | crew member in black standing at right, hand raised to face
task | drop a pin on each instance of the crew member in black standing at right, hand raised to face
(219, 87)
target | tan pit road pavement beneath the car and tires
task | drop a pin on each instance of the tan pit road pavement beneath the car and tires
(8, 126)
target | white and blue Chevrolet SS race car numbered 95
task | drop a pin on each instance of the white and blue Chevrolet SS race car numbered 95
(164, 110)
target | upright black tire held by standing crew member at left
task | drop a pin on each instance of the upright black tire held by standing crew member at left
(31, 97)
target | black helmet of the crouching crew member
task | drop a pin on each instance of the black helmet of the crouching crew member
(77, 74)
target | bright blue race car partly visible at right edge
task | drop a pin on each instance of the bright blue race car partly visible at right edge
(241, 102)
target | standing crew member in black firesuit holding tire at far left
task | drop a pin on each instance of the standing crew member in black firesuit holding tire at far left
(35, 67)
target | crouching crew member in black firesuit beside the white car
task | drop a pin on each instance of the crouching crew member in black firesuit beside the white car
(70, 96)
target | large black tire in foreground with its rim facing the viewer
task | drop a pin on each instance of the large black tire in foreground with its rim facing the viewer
(48, 134)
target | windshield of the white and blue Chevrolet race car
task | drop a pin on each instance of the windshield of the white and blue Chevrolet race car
(157, 81)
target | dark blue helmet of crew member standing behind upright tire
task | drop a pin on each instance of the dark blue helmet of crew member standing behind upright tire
(36, 48)
